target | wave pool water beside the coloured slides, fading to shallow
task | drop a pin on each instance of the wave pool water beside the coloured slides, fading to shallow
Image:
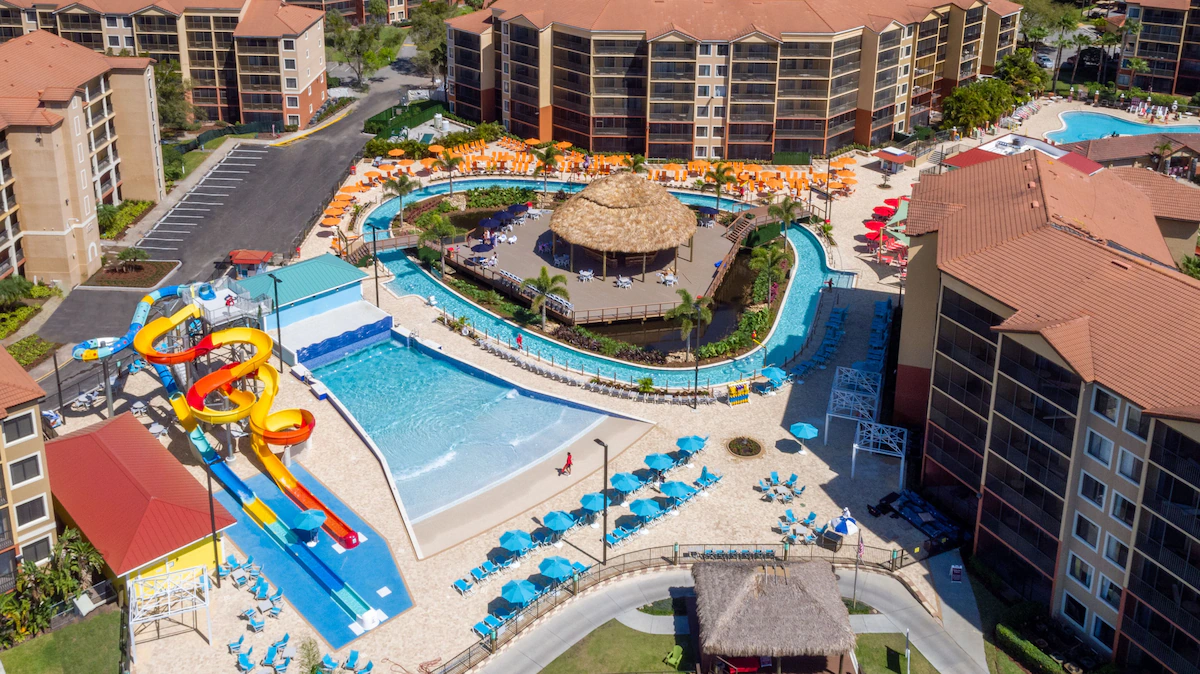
(447, 430)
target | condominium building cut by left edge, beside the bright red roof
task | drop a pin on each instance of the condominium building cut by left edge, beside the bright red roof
(27, 513)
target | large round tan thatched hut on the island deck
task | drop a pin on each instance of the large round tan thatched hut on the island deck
(623, 214)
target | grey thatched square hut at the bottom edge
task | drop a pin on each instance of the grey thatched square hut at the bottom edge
(788, 612)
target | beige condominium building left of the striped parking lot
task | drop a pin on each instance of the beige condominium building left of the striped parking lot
(77, 130)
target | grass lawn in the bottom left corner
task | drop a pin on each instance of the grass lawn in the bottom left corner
(89, 647)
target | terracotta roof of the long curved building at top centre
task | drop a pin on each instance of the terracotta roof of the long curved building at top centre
(717, 20)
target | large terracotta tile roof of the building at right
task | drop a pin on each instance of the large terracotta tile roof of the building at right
(1051, 244)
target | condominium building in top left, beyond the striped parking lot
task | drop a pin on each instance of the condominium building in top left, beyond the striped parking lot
(249, 61)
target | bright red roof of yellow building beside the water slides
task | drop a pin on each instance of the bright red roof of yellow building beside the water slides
(128, 495)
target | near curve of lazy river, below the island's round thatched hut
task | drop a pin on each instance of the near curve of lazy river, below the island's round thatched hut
(791, 327)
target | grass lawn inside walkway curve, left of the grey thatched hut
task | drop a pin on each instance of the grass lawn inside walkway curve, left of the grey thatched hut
(615, 648)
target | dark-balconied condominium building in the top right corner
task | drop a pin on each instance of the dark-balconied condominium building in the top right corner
(1169, 43)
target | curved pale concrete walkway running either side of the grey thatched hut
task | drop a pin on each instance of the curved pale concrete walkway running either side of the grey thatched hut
(955, 649)
